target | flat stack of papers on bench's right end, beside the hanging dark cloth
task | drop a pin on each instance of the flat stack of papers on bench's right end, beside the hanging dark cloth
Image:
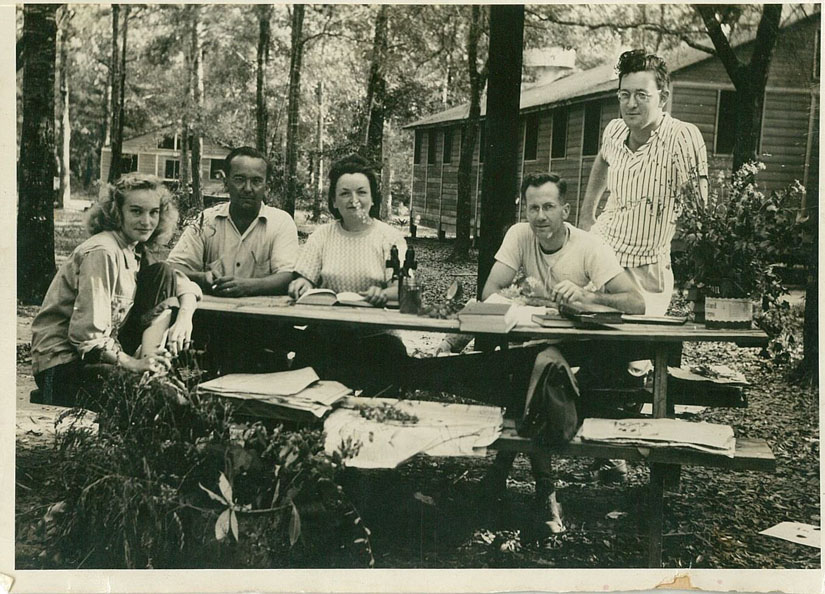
(706, 437)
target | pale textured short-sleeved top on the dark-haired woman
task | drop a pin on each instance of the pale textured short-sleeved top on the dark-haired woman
(337, 259)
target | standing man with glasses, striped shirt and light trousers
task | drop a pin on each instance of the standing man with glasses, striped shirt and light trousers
(646, 160)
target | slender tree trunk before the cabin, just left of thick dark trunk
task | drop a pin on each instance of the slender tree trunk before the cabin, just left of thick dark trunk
(469, 133)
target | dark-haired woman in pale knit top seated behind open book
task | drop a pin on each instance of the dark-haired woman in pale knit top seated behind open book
(350, 254)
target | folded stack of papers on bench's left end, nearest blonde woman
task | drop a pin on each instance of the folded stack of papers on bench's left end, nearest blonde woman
(293, 395)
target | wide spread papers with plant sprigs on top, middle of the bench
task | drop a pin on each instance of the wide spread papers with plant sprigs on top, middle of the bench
(438, 429)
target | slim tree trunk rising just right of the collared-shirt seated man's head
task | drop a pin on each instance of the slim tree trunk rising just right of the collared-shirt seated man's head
(293, 110)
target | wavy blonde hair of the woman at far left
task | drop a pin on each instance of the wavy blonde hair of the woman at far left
(105, 215)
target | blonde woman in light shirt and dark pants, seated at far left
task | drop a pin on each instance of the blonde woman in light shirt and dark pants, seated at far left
(111, 302)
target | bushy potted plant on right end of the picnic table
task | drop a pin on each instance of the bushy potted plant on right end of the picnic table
(731, 243)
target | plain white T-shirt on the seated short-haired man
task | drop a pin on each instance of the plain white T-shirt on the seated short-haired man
(584, 259)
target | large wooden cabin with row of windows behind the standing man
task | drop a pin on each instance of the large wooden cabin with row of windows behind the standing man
(562, 123)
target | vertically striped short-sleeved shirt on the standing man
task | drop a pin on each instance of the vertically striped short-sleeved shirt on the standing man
(639, 219)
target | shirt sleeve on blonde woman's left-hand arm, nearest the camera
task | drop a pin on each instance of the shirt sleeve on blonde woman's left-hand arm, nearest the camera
(91, 323)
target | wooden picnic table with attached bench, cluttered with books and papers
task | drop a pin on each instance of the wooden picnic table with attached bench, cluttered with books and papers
(751, 454)
